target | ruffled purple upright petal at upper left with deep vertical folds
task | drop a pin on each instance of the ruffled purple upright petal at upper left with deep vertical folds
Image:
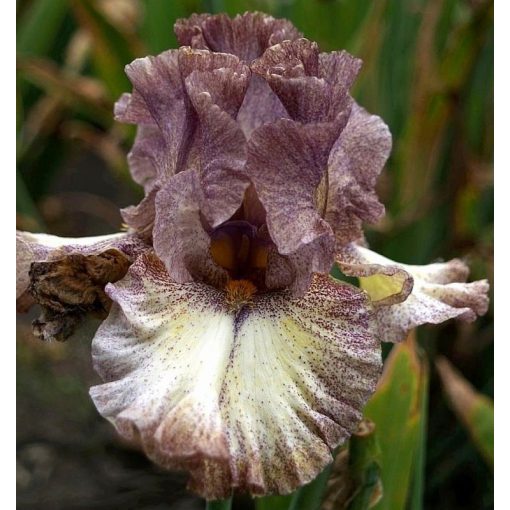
(186, 102)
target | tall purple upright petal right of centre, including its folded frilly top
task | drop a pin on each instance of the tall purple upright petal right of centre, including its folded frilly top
(287, 160)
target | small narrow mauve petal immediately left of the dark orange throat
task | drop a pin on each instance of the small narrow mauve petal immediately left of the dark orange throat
(180, 239)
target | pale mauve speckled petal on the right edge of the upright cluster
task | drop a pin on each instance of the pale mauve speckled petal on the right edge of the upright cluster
(355, 162)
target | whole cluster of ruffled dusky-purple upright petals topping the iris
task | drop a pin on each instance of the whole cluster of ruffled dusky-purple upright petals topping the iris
(264, 122)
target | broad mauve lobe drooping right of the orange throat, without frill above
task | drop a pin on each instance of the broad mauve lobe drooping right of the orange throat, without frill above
(286, 162)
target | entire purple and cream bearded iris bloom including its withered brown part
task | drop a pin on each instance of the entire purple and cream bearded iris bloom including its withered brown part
(227, 350)
